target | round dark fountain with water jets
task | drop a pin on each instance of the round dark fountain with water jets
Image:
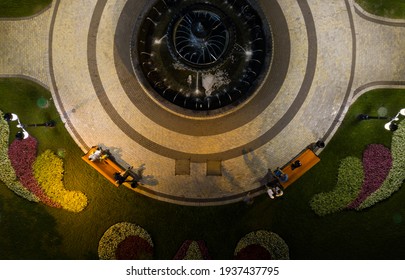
(206, 56)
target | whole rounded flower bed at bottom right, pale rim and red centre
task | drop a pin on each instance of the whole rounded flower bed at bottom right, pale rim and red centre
(261, 245)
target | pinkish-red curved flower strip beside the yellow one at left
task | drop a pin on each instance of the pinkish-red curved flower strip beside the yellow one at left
(22, 154)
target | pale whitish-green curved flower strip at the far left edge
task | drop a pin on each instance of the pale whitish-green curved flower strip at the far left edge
(7, 173)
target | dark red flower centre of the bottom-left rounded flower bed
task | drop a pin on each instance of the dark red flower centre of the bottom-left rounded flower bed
(134, 248)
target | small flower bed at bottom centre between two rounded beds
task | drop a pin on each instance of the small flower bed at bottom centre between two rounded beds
(192, 250)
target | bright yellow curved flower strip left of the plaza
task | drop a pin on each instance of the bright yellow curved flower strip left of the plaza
(48, 171)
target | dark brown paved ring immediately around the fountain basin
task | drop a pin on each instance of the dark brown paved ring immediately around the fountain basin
(196, 126)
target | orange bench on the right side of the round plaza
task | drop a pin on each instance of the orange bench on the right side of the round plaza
(307, 158)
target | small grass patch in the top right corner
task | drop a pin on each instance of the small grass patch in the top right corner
(385, 8)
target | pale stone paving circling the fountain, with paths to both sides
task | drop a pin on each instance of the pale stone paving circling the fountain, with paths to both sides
(325, 55)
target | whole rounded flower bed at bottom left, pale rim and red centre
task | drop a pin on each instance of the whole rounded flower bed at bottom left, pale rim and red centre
(125, 241)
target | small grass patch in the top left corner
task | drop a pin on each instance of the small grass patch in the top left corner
(22, 8)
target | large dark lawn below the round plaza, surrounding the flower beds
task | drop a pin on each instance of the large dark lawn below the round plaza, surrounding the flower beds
(33, 231)
